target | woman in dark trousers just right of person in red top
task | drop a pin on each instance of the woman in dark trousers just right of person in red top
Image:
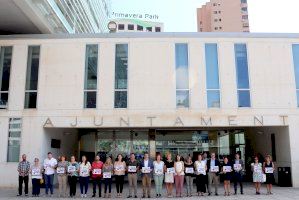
(107, 176)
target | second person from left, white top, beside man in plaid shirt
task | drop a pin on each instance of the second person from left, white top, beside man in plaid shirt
(36, 176)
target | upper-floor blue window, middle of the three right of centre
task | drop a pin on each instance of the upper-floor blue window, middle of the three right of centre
(212, 75)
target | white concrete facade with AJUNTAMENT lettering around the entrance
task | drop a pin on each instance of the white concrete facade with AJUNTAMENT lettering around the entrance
(151, 90)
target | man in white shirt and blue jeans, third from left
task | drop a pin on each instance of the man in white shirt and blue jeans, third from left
(50, 164)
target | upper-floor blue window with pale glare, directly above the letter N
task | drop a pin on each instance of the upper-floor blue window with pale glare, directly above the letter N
(182, 75)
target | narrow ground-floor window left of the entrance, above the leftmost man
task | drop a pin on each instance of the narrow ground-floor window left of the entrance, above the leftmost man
(14, 138)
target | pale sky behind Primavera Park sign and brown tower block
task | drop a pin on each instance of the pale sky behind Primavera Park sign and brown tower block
(180, 15)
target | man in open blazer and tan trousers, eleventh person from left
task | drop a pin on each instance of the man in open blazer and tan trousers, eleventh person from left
(146, 173)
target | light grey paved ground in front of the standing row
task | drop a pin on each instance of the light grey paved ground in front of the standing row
(279, 193)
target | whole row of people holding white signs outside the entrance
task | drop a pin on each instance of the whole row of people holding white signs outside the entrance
(206, 172)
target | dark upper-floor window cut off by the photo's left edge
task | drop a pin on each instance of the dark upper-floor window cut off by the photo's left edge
(5, 64)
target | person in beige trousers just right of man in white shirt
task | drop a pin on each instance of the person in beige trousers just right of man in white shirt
(61, 171)
